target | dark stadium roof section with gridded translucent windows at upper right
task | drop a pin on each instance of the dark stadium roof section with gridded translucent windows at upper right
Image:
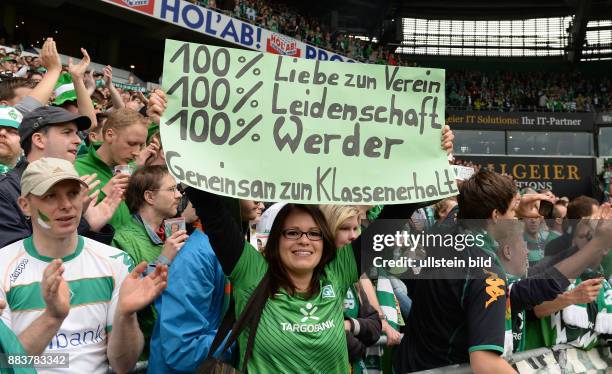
(581, 39)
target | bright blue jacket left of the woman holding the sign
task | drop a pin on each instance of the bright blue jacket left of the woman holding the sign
(189, 310)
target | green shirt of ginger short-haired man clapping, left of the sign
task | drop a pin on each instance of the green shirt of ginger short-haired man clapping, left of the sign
(91, 163)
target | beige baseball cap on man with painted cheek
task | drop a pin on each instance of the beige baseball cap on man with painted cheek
(44, 173)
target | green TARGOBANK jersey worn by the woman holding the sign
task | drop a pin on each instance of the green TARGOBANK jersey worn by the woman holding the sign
(297, 335)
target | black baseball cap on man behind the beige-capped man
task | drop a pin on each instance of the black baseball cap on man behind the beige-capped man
(48, 116)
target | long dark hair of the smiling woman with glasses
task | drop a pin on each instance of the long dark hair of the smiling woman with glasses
(279, 278)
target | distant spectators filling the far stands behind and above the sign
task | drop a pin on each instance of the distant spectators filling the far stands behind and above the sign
(465, 90)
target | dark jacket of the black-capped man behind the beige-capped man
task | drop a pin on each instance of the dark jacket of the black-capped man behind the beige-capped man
(15, 226)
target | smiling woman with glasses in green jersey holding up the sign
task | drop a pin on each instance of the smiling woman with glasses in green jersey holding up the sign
(301, 328)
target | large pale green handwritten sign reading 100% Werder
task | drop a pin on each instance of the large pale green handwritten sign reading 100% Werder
(272, 128)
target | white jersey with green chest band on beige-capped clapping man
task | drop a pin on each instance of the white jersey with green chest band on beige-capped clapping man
(94, 273)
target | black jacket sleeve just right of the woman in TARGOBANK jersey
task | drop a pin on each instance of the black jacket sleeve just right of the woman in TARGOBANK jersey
(365, 329)
